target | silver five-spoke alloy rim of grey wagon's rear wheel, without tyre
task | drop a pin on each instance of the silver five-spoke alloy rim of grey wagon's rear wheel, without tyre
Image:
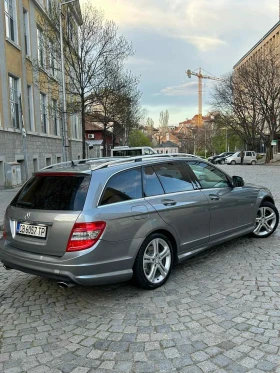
(157, 260)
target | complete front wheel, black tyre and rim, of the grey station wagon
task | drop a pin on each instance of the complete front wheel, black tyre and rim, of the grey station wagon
(267, 220)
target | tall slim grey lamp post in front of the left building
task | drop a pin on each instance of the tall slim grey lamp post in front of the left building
(64, 104)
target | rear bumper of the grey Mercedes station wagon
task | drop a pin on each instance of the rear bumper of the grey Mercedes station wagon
(73, 270)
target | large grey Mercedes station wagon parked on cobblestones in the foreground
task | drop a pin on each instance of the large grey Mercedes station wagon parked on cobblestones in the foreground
(99, 223)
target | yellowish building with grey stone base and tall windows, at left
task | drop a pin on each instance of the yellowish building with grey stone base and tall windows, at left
(30, 113)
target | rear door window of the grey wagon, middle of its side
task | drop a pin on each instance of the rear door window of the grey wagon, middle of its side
(173, 177)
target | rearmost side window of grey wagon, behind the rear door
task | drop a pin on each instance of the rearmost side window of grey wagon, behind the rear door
(123, 187)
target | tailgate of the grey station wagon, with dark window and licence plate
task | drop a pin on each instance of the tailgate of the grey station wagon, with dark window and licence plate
(41, 216)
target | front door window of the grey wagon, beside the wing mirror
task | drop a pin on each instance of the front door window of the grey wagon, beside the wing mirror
(208, 176)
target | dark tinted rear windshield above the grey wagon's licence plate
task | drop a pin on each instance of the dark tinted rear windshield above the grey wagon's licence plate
(54, 193)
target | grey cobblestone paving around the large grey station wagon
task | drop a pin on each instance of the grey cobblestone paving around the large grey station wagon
(219, 312)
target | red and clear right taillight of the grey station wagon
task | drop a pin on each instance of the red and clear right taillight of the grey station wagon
(85, 235)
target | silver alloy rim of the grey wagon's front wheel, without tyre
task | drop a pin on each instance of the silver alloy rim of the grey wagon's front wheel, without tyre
(266, 221)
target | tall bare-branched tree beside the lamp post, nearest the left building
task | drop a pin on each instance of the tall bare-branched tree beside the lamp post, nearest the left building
(88, 50)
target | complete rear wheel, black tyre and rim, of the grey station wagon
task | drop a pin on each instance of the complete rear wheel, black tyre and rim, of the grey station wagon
(150, 271)
